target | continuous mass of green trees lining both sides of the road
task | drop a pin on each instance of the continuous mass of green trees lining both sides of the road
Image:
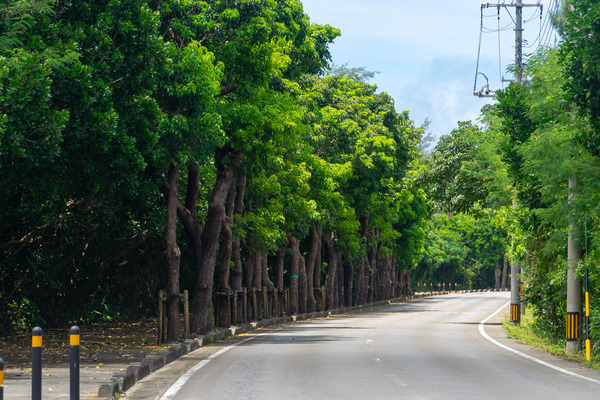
(149, 145)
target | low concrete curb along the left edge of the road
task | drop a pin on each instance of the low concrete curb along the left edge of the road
(124, 380)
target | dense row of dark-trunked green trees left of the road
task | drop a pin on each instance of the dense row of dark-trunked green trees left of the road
(193, 145)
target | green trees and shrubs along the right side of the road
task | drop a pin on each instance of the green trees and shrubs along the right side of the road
(513, 172)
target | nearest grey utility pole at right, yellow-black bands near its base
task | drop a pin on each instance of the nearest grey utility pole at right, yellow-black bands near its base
(573, 284)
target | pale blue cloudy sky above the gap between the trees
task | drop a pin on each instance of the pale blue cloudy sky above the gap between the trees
(425, 52)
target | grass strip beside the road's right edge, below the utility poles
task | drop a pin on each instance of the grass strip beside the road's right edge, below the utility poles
(525, 334)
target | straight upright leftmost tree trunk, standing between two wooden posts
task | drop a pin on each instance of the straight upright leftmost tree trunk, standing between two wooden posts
(173, 254)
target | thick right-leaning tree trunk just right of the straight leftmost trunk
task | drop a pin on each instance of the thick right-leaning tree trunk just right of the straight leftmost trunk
(201, 314)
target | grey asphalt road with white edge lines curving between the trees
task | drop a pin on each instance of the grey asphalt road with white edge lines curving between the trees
(424, 349)
